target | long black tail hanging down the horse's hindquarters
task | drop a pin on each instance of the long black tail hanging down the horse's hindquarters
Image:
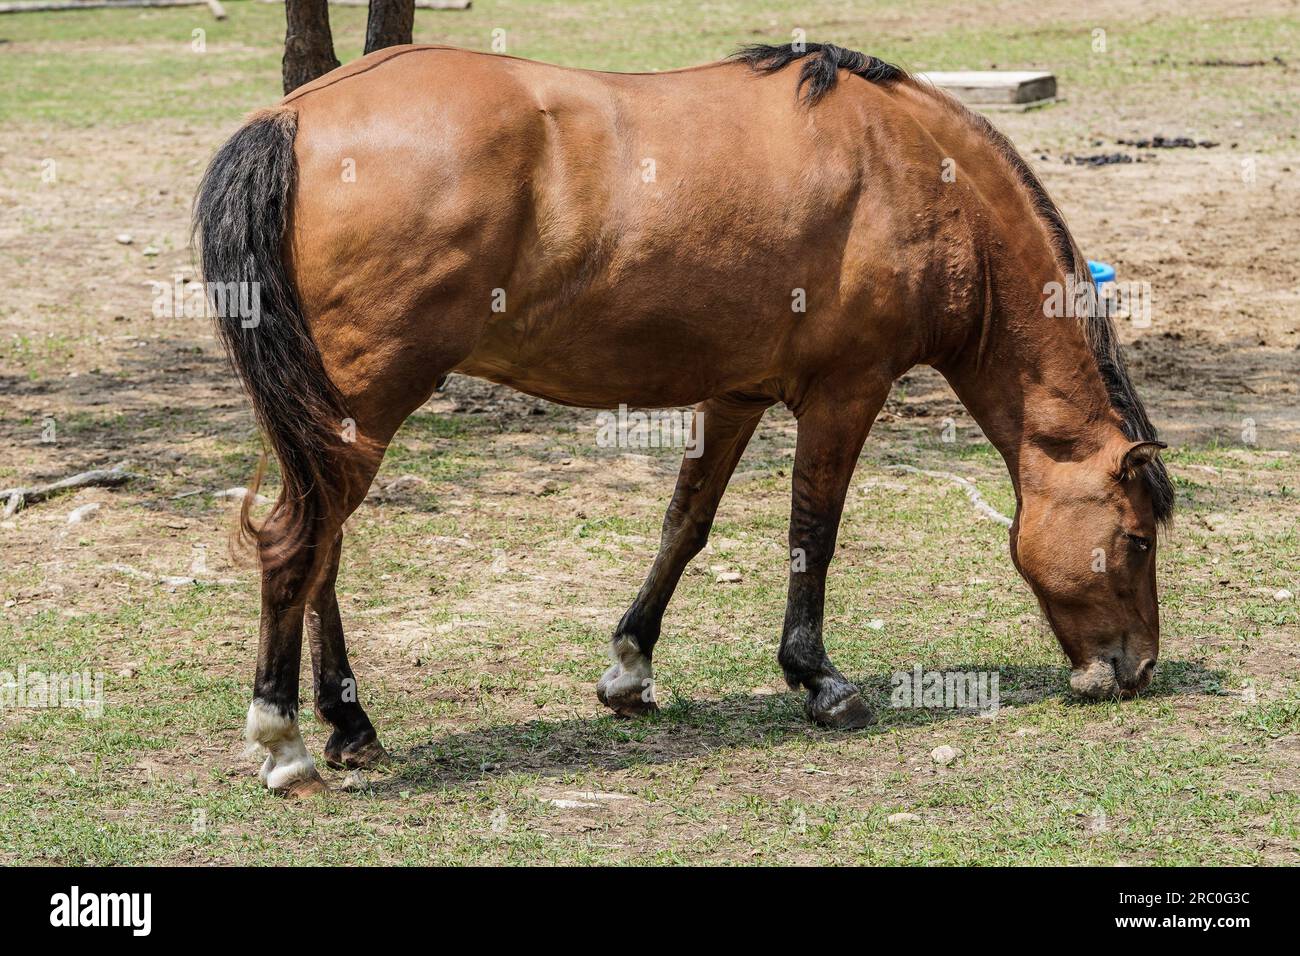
(240, 222)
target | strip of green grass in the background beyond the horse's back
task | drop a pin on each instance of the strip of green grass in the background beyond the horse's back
(109, 67)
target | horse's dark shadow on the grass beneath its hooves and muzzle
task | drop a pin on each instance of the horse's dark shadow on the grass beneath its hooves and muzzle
(687, 729)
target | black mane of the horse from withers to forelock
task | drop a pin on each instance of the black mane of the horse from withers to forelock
(822, 63)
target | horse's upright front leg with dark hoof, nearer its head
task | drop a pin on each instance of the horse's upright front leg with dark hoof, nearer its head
(831, 431)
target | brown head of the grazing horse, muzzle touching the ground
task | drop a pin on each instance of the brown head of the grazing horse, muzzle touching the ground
(1085, 539)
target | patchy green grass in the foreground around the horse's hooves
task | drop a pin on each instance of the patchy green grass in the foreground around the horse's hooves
(499, 717)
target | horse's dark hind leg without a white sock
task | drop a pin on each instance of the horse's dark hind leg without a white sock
(353, 742)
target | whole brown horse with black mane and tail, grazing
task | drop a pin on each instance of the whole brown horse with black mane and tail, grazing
(796, 226)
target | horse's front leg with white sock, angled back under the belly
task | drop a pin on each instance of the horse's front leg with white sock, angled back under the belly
(722, 430)
